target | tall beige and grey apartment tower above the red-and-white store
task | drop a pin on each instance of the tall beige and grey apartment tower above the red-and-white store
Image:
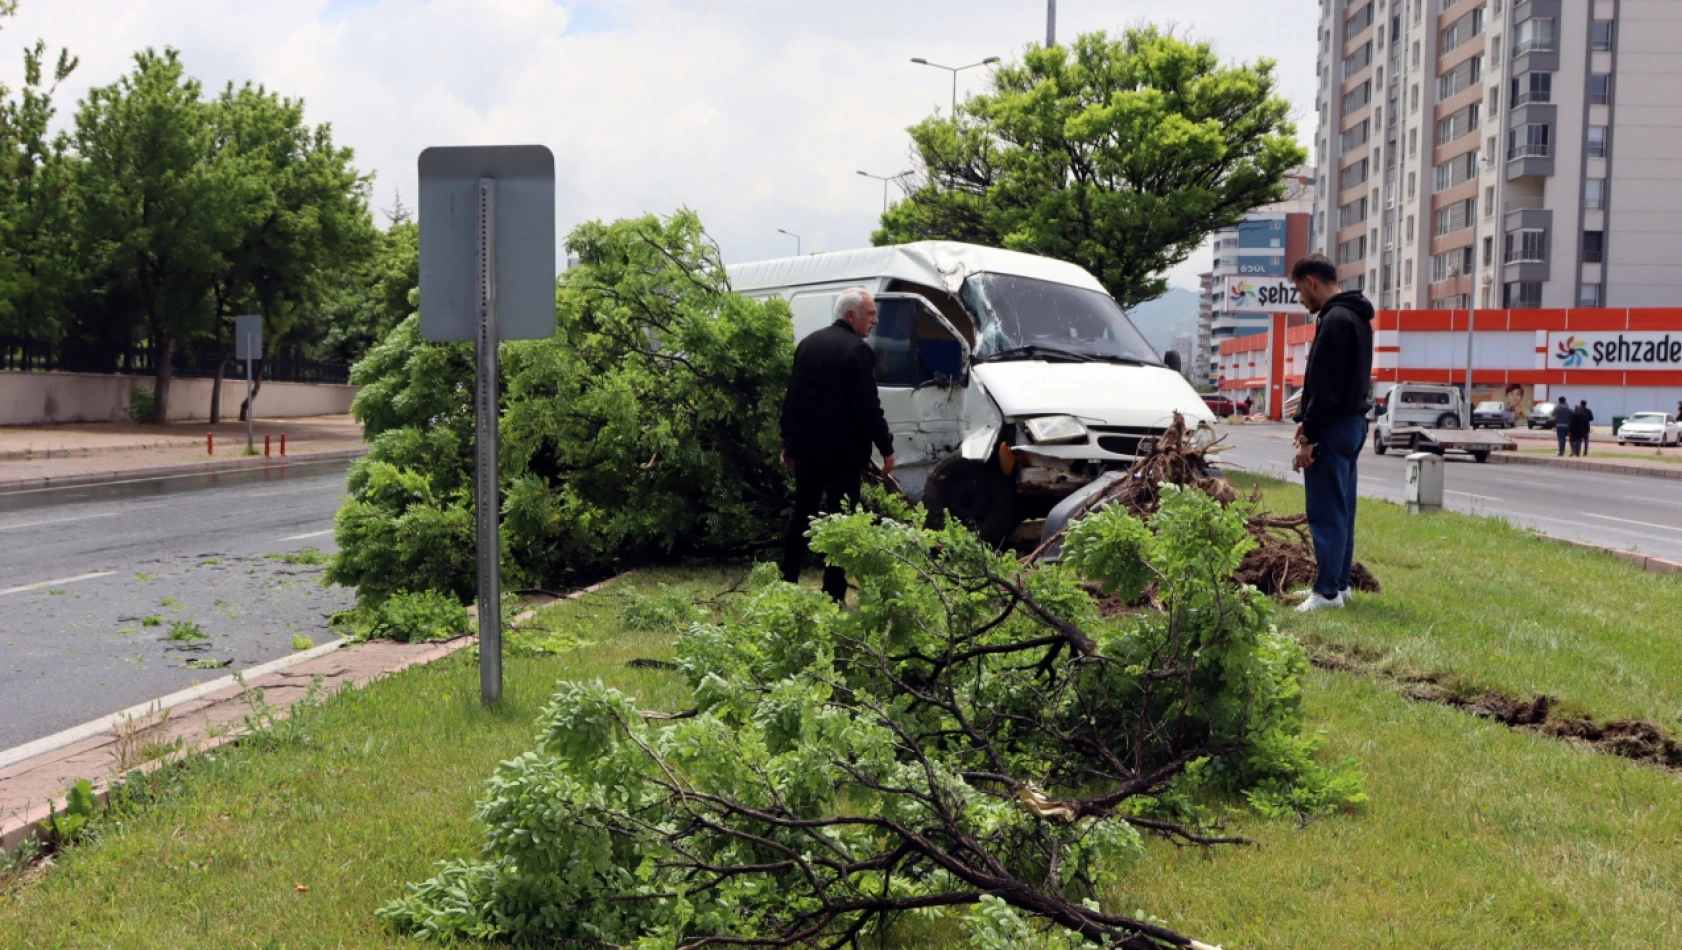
(1511, 154)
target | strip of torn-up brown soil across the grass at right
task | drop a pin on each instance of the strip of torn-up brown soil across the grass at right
(1637, 741)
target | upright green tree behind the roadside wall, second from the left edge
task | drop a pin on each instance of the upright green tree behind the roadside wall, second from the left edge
(152, 206)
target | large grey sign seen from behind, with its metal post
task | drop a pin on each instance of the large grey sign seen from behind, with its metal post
(489, 275)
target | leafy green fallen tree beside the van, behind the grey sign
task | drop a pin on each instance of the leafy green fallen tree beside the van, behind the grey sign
(643, 430)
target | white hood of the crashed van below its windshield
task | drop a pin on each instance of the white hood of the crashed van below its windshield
(1101, 394)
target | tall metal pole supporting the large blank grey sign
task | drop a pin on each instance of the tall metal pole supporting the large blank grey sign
(489, 509)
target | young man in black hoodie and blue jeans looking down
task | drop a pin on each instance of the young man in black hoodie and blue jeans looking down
(1331, 423)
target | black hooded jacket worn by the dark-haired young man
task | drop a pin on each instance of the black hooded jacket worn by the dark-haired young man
(1340, 372)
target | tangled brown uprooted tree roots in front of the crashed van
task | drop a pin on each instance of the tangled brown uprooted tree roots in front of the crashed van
(1284, 557)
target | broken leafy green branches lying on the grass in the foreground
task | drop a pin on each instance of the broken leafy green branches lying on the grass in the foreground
(973, 734)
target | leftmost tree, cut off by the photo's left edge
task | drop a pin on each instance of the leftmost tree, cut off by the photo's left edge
(38, 248)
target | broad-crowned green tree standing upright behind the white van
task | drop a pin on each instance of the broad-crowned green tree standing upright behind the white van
(1116, 154)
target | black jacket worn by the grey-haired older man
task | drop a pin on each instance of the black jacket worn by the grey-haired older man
(833, 414)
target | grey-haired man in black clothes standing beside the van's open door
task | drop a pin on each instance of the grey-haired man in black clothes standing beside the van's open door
(832, 416)
